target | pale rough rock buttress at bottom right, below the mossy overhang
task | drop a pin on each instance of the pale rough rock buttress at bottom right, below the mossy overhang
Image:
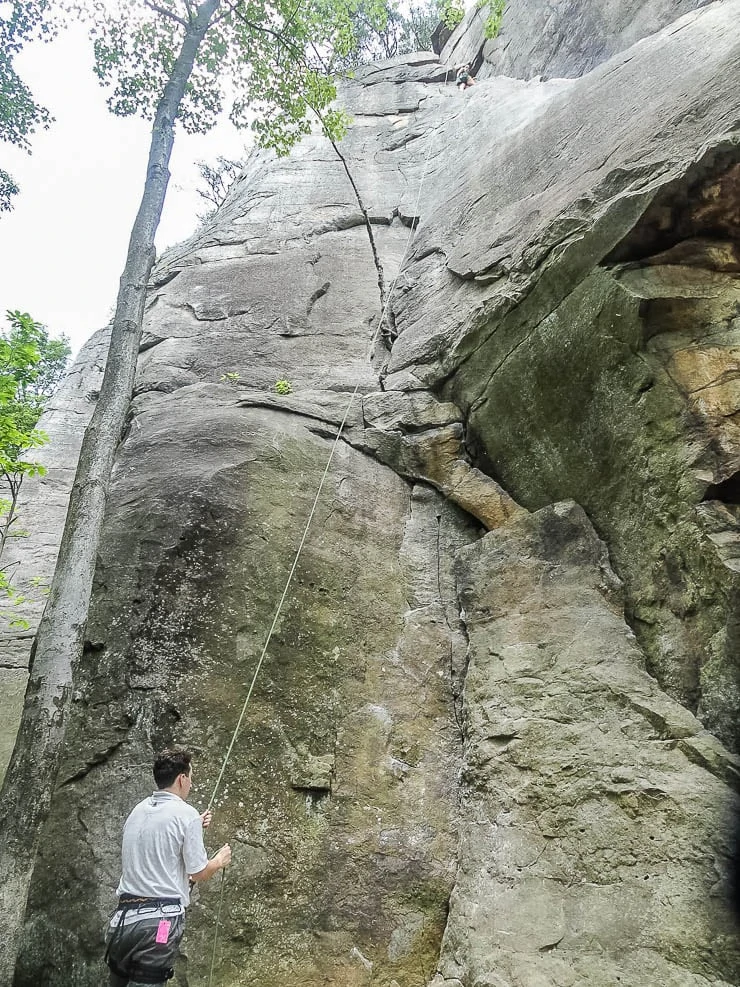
(587, 794)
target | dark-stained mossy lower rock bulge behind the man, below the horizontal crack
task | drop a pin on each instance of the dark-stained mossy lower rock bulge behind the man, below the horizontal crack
(319, 872)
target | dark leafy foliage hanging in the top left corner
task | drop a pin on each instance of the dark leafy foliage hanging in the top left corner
(20, 115)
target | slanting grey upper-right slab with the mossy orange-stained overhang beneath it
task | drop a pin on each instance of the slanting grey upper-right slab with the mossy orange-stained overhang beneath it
(592, 354)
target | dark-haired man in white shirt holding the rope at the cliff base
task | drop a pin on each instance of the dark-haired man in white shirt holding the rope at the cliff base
(162, 852)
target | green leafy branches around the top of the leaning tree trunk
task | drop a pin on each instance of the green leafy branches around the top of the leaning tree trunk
(276, 56)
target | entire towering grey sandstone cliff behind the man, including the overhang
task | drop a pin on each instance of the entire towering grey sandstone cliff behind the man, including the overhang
(490, 743)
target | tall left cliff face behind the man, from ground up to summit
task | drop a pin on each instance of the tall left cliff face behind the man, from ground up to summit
(341, 792)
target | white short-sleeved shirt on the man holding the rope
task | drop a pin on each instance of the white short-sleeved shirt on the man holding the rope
(162, 846)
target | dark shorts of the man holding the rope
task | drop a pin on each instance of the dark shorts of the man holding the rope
(135, 957)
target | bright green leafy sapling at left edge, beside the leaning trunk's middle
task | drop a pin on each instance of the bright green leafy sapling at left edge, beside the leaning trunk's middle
(31, 366)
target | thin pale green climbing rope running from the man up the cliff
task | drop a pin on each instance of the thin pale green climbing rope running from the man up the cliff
(288, 581)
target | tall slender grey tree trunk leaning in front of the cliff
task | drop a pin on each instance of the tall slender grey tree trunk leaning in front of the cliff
(29, 782)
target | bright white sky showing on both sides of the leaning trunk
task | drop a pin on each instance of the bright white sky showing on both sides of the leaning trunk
(63, 246)
